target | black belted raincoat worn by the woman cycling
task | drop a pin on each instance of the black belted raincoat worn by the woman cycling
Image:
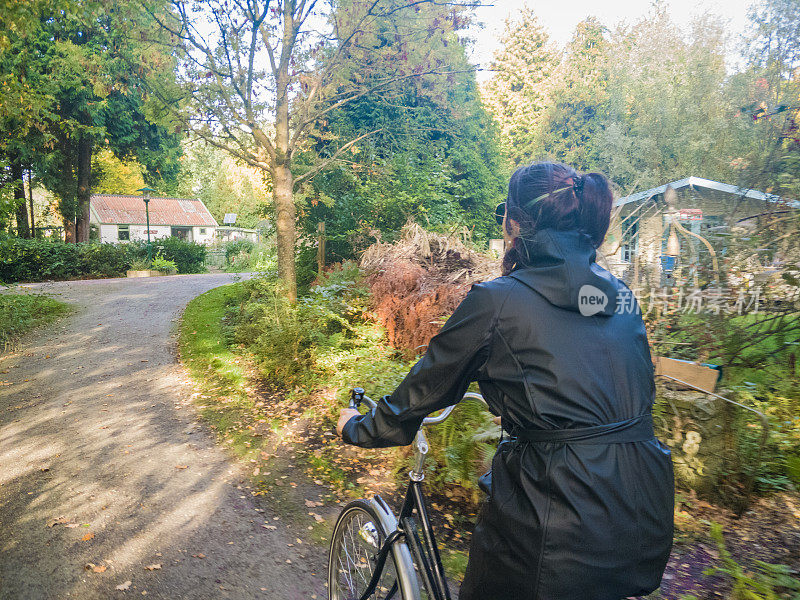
(581, 502)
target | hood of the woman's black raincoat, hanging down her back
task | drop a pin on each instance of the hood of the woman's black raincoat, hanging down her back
(563, 269)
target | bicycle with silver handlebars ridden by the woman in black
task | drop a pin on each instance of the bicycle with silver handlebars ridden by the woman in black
(367, 532)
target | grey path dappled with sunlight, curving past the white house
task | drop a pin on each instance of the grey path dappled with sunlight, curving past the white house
(102, 462)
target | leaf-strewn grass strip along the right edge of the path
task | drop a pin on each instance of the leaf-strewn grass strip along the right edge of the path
(239, 414)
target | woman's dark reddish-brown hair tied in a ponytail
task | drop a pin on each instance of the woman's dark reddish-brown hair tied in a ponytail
(585, 205)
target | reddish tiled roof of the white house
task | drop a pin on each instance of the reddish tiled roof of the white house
(129, 210)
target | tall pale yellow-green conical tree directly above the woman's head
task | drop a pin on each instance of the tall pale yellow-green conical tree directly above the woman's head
(519, 91)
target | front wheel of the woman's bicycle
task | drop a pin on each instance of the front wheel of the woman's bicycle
(353, 537)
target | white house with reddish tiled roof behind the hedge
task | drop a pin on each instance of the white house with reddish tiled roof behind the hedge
(122, 218)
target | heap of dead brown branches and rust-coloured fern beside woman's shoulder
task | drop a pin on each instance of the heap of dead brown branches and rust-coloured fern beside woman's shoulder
(418, 281)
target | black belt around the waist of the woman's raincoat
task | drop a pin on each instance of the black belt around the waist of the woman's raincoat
(638, 429)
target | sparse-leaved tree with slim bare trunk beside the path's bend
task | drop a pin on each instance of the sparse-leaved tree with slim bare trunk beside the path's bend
(258, 76)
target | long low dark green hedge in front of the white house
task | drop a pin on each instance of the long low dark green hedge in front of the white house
(40, 260)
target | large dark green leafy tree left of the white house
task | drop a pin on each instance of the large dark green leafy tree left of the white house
(72, 63)
